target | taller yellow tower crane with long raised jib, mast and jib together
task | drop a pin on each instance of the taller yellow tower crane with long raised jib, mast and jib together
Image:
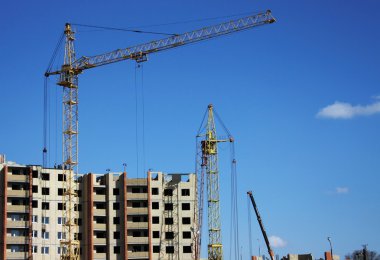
(68, 79)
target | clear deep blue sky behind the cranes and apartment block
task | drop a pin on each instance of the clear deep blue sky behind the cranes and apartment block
(300, 97)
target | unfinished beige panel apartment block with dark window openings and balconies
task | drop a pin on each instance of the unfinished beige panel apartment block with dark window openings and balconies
(119, 217)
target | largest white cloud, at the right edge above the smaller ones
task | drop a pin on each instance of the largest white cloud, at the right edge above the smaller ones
(341, 110)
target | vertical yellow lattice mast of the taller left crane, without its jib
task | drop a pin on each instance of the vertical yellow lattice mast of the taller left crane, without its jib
(70, 247)
